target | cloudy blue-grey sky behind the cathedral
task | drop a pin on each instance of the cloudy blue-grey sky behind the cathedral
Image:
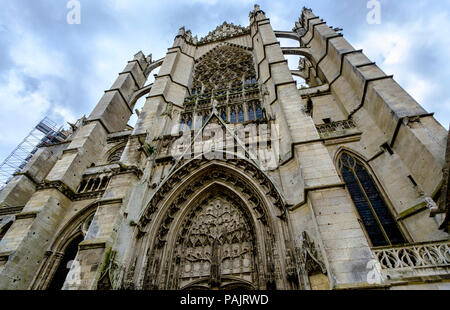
(51, 68)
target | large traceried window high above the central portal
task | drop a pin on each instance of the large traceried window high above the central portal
(224, 78)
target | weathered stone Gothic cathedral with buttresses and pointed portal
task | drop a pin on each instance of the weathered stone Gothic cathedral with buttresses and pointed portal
(233, 177)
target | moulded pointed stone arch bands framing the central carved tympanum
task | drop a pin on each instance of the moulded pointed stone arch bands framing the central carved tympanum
(169, 216)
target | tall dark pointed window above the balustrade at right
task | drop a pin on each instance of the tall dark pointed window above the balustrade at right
(376, 217)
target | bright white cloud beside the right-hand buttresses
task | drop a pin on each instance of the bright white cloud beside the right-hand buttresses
(395, 48)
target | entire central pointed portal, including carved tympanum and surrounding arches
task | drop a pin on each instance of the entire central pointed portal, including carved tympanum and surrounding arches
(214, 228)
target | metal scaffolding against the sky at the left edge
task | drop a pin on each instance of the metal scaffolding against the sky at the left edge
(45, 133)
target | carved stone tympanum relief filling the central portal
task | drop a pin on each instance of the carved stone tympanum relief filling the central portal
(219, 243)
